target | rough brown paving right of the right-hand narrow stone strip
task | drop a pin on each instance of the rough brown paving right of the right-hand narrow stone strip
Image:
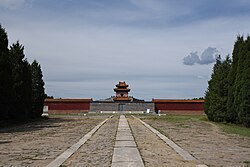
(207, 142)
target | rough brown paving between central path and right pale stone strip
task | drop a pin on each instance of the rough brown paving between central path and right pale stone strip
(153, 150)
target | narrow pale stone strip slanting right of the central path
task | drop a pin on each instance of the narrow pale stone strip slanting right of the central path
(183, 153)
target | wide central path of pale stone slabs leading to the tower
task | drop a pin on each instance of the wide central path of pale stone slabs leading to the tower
(125, 151)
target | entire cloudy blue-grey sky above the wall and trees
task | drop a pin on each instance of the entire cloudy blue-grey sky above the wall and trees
(161, 48)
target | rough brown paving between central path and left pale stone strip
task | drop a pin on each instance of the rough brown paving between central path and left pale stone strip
(97, 151)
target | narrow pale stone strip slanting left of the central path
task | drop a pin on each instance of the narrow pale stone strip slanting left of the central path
(66, 154)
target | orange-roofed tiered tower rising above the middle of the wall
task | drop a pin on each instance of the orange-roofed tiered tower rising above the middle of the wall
(121, 91)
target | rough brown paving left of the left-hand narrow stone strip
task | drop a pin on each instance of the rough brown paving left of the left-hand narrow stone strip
(38, 143)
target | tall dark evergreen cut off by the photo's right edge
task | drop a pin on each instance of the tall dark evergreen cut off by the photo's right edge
(242, 83)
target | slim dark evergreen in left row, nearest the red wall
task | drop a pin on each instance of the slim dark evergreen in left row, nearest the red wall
(38, 94)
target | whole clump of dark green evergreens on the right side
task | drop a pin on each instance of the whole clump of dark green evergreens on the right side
(228, 95)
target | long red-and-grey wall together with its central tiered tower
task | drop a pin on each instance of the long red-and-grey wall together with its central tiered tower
(123, 103)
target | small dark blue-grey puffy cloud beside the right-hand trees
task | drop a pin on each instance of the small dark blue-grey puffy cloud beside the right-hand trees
(208, 56)
